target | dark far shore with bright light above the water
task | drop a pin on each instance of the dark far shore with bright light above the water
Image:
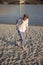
(21, 2)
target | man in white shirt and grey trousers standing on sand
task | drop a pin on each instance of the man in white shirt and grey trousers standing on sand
(22, 26)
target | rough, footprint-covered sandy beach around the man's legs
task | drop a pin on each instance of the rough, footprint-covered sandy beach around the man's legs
(12, 54)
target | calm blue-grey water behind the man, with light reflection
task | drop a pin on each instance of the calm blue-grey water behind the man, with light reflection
(9, 13)
